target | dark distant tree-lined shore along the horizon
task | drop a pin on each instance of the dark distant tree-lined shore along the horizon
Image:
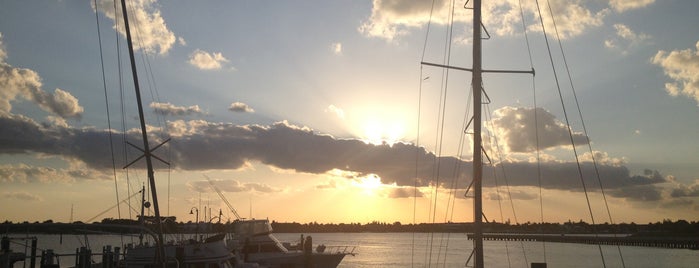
(661, 228)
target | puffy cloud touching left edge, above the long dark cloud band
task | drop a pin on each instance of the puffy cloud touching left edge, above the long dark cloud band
(26, 83)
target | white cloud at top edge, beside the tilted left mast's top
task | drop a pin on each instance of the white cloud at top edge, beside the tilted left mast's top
(145, 22)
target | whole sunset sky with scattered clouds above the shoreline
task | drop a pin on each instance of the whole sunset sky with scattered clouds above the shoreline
(320, 111)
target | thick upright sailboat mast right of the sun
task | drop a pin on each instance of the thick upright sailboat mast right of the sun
(477, 81)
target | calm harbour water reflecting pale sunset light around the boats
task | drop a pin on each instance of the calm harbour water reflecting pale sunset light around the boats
(447, 250)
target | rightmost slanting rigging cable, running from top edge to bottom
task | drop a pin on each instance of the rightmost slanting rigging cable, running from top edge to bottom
(577, 103)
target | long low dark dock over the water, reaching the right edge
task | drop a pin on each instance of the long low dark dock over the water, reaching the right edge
(606, 239)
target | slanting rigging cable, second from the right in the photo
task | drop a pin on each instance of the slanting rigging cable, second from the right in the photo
(570, 131)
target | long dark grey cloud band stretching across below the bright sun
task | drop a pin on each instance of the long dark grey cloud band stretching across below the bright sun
(202, 145)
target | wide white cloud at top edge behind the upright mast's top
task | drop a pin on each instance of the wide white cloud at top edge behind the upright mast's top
(391, 19)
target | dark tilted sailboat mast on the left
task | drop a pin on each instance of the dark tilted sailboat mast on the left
(146, 148)
